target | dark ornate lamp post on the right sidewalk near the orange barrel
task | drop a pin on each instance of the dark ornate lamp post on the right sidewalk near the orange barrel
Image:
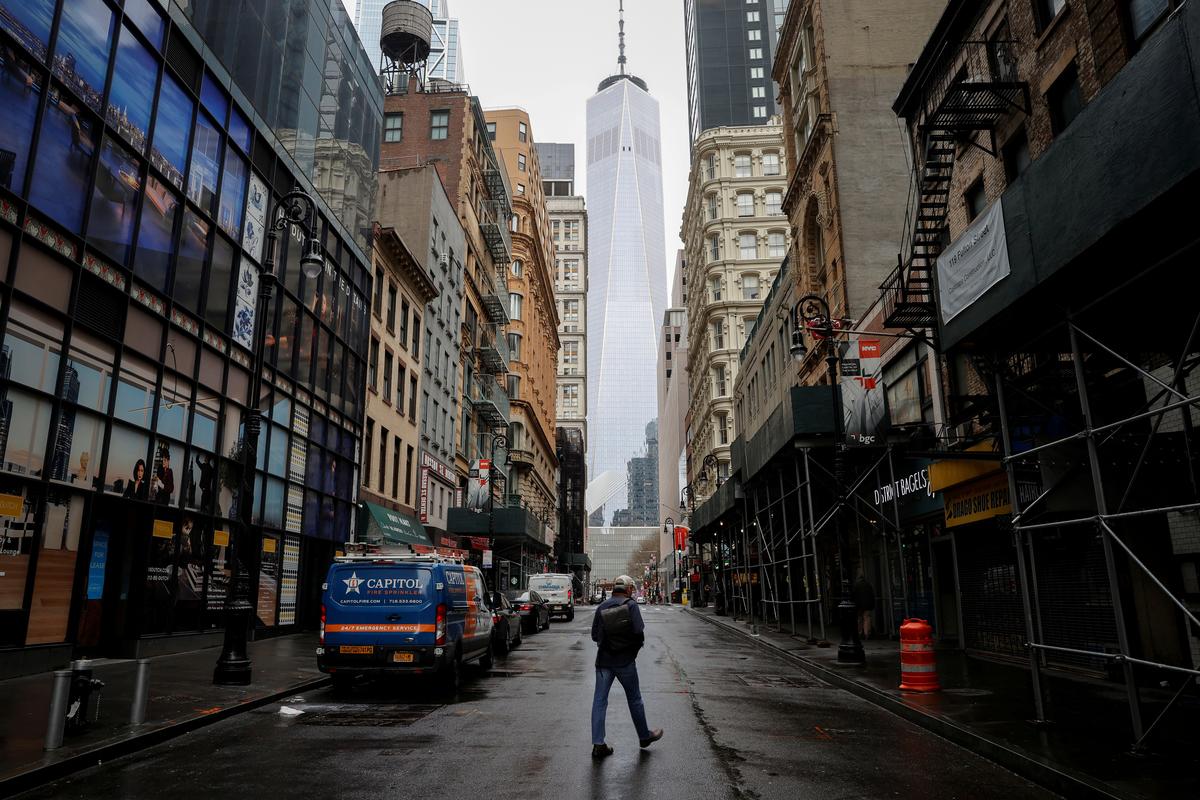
(813, 314)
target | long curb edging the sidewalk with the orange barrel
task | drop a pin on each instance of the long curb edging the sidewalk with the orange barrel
(1048, 775)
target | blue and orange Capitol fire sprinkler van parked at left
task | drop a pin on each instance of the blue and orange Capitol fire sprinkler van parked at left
(415, 615)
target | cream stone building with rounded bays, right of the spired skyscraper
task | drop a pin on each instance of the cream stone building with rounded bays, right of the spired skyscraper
(735, 238)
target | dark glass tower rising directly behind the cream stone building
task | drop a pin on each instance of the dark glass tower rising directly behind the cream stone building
(730, 46)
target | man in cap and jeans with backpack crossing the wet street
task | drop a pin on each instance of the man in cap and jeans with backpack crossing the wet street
(620, 633)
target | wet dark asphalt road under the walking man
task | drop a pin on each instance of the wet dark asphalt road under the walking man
(740, 724)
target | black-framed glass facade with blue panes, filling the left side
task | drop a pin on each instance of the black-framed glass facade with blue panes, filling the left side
(136, 182)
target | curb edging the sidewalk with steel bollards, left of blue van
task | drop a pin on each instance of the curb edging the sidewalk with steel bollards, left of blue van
(41, 775)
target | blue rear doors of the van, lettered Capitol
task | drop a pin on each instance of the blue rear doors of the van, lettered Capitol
(373, 604)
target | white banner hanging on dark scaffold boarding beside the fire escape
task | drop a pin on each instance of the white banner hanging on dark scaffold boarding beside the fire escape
(975, 263)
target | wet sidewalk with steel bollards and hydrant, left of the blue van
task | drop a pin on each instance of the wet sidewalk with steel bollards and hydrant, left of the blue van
(182, 699)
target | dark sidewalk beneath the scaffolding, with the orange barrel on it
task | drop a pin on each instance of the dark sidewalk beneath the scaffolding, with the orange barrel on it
(986, 707)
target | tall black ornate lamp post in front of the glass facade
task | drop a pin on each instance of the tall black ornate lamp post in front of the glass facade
(293, 209)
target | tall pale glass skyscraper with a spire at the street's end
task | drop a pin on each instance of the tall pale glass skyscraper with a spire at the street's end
(627, 296)
